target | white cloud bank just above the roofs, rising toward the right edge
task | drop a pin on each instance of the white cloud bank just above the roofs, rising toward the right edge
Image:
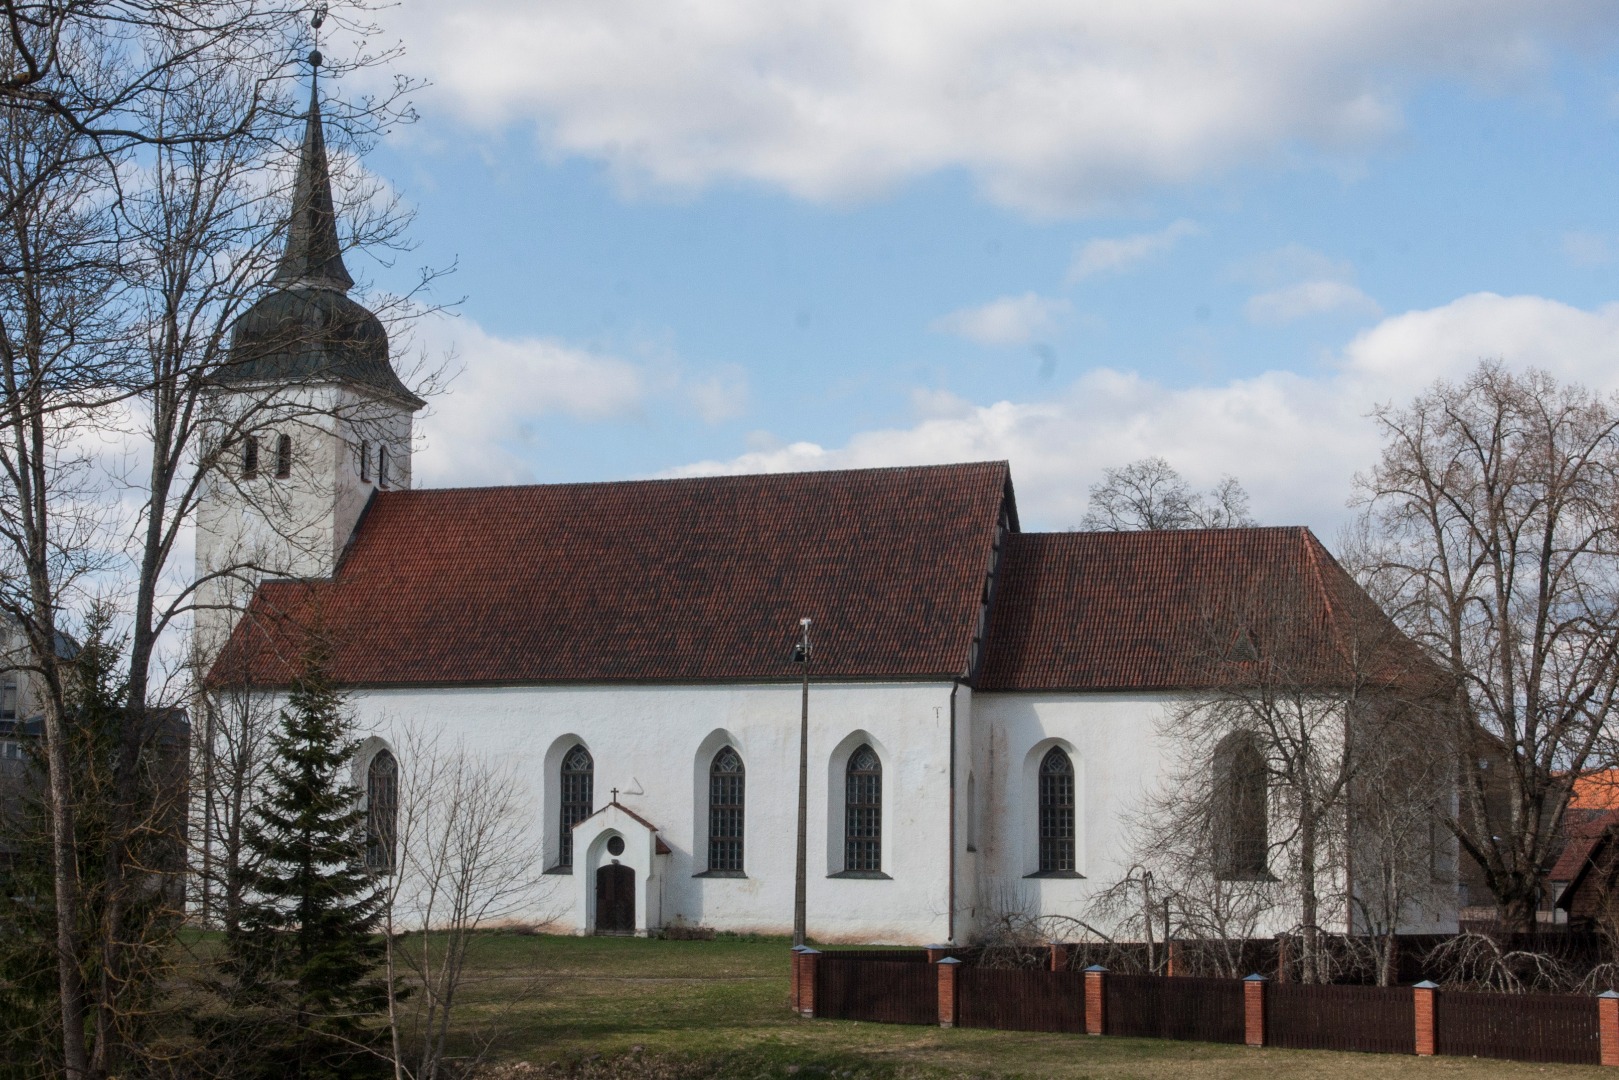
(1294, 441)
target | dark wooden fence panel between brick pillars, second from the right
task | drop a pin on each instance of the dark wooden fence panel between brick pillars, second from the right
(1372, 1019)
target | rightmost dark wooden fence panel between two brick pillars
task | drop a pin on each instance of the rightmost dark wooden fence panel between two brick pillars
(1518, 1027)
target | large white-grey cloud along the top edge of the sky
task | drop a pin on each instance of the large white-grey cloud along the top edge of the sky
(1052, 106)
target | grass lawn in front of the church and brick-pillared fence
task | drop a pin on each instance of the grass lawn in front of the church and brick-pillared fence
(720, 1010)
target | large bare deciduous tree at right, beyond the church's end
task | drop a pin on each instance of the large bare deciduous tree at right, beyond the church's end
(1495, 509)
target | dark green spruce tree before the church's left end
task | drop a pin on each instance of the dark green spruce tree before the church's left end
(307, 953)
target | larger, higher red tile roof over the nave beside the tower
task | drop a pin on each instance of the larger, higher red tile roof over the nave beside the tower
(669, 580)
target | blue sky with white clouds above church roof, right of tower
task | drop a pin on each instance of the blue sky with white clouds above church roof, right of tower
(707, 237)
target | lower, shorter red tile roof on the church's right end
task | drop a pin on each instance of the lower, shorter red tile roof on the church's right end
(1179, 610)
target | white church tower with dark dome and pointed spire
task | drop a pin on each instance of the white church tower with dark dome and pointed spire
(307, 419)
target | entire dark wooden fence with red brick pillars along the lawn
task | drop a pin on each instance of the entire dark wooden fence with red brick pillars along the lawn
(903, 987)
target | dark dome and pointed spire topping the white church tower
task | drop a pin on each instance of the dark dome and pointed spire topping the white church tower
(307, 330)
